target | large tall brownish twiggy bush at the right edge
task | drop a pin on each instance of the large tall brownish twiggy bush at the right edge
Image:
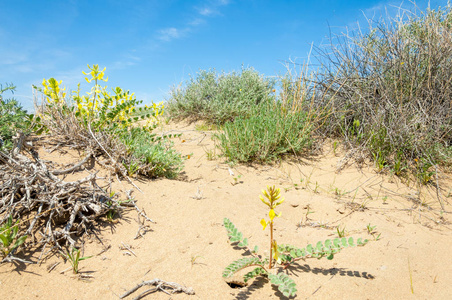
(392, 90)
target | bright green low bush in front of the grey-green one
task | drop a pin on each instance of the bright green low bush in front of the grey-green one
(266, 134)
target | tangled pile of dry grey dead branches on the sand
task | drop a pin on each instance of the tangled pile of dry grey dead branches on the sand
(53, 211)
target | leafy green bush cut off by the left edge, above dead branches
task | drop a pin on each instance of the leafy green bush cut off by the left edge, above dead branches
(13, 118)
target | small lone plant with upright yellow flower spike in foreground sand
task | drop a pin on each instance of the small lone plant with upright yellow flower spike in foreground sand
(280, 255)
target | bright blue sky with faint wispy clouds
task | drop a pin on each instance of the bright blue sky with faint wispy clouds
(149, 46)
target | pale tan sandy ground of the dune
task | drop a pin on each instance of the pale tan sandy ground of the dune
(188, 243)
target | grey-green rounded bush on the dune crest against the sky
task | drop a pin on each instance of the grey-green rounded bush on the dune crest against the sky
(218, 98)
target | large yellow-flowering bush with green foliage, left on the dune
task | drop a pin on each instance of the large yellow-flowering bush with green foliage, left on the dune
(114, 115)
